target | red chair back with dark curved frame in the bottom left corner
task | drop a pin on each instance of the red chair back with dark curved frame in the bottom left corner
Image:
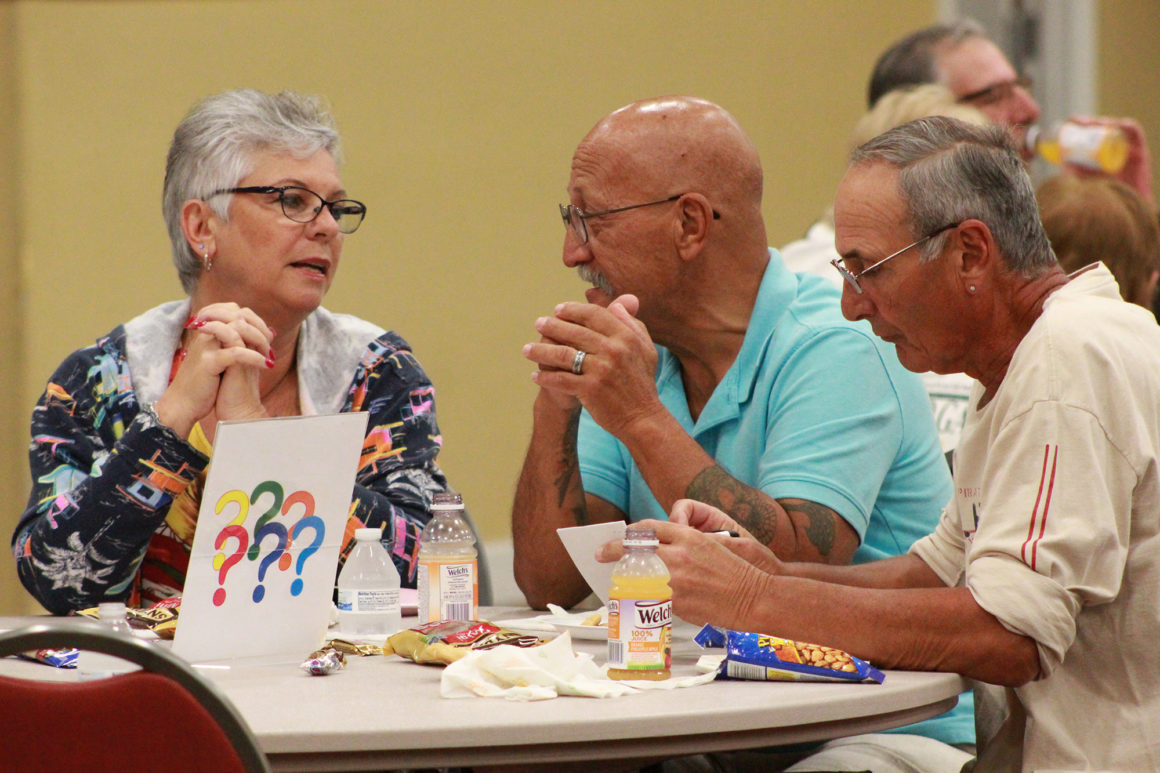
(165, 718)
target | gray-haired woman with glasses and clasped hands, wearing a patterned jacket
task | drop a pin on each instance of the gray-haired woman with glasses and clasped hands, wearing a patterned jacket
(122, 437)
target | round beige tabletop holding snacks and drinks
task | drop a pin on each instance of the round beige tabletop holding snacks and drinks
(383, 713)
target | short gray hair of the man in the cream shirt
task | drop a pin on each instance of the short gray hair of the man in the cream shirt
(951, 171)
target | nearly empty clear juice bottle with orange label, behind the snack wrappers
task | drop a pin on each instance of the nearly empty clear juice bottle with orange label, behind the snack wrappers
(448, 565)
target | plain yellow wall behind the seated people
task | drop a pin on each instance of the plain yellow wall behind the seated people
(459, 120)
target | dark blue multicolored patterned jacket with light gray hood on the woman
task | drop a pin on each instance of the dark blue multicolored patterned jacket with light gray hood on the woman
(99, 525)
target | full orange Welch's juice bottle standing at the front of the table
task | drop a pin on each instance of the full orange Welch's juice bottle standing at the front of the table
(640, 611)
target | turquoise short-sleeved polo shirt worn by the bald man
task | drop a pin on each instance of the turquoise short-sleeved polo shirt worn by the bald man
(815, 408)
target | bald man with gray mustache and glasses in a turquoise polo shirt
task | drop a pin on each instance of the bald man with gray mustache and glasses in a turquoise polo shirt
(700, 367)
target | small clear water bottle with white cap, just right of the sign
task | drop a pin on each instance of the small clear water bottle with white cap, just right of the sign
(369, 589)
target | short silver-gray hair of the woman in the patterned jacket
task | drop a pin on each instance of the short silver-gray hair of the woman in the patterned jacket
(214, 148)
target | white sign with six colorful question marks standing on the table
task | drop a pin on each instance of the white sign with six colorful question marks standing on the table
(270, 532)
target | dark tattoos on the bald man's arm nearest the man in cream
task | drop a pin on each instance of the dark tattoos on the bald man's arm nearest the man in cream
(752, 510)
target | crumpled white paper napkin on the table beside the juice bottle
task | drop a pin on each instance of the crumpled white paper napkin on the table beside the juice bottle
(538, 674)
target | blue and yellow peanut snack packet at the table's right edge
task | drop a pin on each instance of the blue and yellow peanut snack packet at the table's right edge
(770, 659)
